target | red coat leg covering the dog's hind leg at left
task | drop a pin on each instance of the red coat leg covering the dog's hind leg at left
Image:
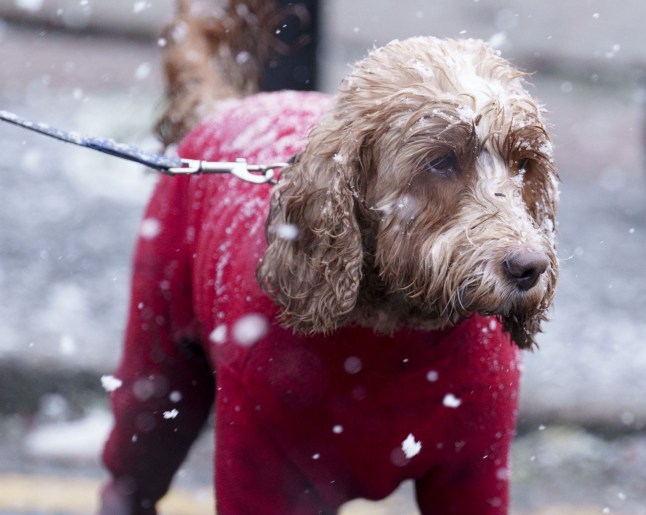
(167, 384)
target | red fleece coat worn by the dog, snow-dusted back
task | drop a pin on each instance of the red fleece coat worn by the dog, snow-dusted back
(303, 424)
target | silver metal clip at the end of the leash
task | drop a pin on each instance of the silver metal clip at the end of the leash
(255, 174)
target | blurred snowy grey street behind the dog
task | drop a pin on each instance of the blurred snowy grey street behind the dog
(69, 217)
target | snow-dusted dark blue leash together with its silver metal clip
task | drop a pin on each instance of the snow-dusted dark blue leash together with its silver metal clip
(257, 174)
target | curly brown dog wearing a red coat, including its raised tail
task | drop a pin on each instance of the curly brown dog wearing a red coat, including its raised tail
(360, 324)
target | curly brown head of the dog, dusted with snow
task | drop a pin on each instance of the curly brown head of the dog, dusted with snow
(426, 194)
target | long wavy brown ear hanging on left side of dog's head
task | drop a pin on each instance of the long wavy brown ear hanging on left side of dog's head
(313, 264)
